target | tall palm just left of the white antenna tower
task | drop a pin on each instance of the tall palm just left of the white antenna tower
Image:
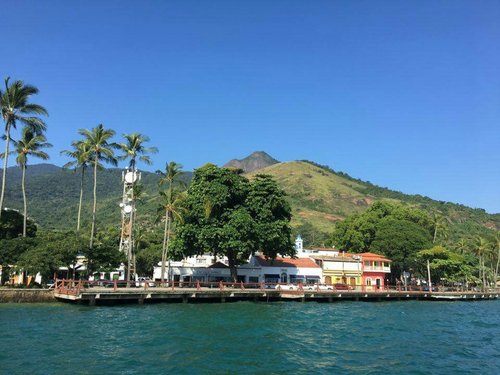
(101, 150)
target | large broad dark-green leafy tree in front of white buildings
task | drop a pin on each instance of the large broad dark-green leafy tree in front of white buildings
(223, 218)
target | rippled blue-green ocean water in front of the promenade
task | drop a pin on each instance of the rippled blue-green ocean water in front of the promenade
(408, 337)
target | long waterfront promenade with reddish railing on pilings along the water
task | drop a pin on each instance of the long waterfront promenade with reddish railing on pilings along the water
(113, 293)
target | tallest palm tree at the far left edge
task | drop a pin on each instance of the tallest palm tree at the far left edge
(15, 108)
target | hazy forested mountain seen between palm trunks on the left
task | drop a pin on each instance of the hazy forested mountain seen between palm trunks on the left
(53, 195)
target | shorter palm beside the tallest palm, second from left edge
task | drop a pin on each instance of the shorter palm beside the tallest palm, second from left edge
(29, 144)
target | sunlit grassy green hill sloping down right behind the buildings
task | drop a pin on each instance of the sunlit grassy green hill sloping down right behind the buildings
(319, 197)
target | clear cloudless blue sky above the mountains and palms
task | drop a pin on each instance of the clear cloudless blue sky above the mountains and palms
(405, 94)
